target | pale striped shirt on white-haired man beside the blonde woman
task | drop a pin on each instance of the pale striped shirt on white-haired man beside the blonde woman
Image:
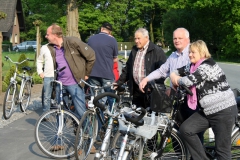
(174, 61)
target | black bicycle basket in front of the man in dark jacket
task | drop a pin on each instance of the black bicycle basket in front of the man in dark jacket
(162, 99)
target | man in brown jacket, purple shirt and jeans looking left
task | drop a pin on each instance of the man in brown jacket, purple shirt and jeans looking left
(77, 57)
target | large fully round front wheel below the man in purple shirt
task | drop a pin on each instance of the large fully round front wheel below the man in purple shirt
(51, 139)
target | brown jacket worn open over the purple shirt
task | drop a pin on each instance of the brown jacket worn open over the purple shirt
(80, 57)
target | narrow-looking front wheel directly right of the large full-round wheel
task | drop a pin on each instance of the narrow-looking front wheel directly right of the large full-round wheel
(86, 135)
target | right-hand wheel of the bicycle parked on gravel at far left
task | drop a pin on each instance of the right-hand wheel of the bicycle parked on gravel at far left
(26, 95)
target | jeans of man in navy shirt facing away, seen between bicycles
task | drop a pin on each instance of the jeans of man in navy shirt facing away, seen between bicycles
(97, 81)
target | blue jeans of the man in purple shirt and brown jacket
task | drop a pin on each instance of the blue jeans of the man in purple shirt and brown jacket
(77, 95)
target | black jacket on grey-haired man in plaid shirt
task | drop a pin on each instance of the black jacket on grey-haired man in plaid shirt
(154, 58)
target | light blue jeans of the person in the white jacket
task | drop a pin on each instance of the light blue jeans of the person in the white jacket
(47, 93)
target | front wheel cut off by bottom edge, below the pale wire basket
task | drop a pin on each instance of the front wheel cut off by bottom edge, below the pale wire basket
(136, 151)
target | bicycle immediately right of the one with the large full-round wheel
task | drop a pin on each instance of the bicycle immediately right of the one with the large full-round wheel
(87, 130)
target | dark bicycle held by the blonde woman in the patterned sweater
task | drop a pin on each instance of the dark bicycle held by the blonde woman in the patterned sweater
(183, 154)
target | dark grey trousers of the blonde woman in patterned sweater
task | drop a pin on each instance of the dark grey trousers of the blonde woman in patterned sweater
(221, 123)
